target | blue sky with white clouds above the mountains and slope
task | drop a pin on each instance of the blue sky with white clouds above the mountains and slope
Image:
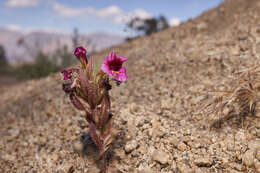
(94, 15)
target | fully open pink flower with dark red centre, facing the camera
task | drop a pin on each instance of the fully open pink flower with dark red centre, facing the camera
(113, 67)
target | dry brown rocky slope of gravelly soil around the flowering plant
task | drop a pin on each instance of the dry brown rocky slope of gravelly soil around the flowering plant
(171, 73)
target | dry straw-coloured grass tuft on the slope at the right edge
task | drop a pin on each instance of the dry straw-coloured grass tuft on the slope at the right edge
(237, 102)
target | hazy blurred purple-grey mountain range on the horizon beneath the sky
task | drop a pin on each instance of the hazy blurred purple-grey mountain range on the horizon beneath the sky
(20, 46)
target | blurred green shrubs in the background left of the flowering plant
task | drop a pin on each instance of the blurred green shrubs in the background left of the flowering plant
(43, 65)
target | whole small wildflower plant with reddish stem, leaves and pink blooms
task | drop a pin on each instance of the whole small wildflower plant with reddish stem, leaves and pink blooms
(88, 90)
